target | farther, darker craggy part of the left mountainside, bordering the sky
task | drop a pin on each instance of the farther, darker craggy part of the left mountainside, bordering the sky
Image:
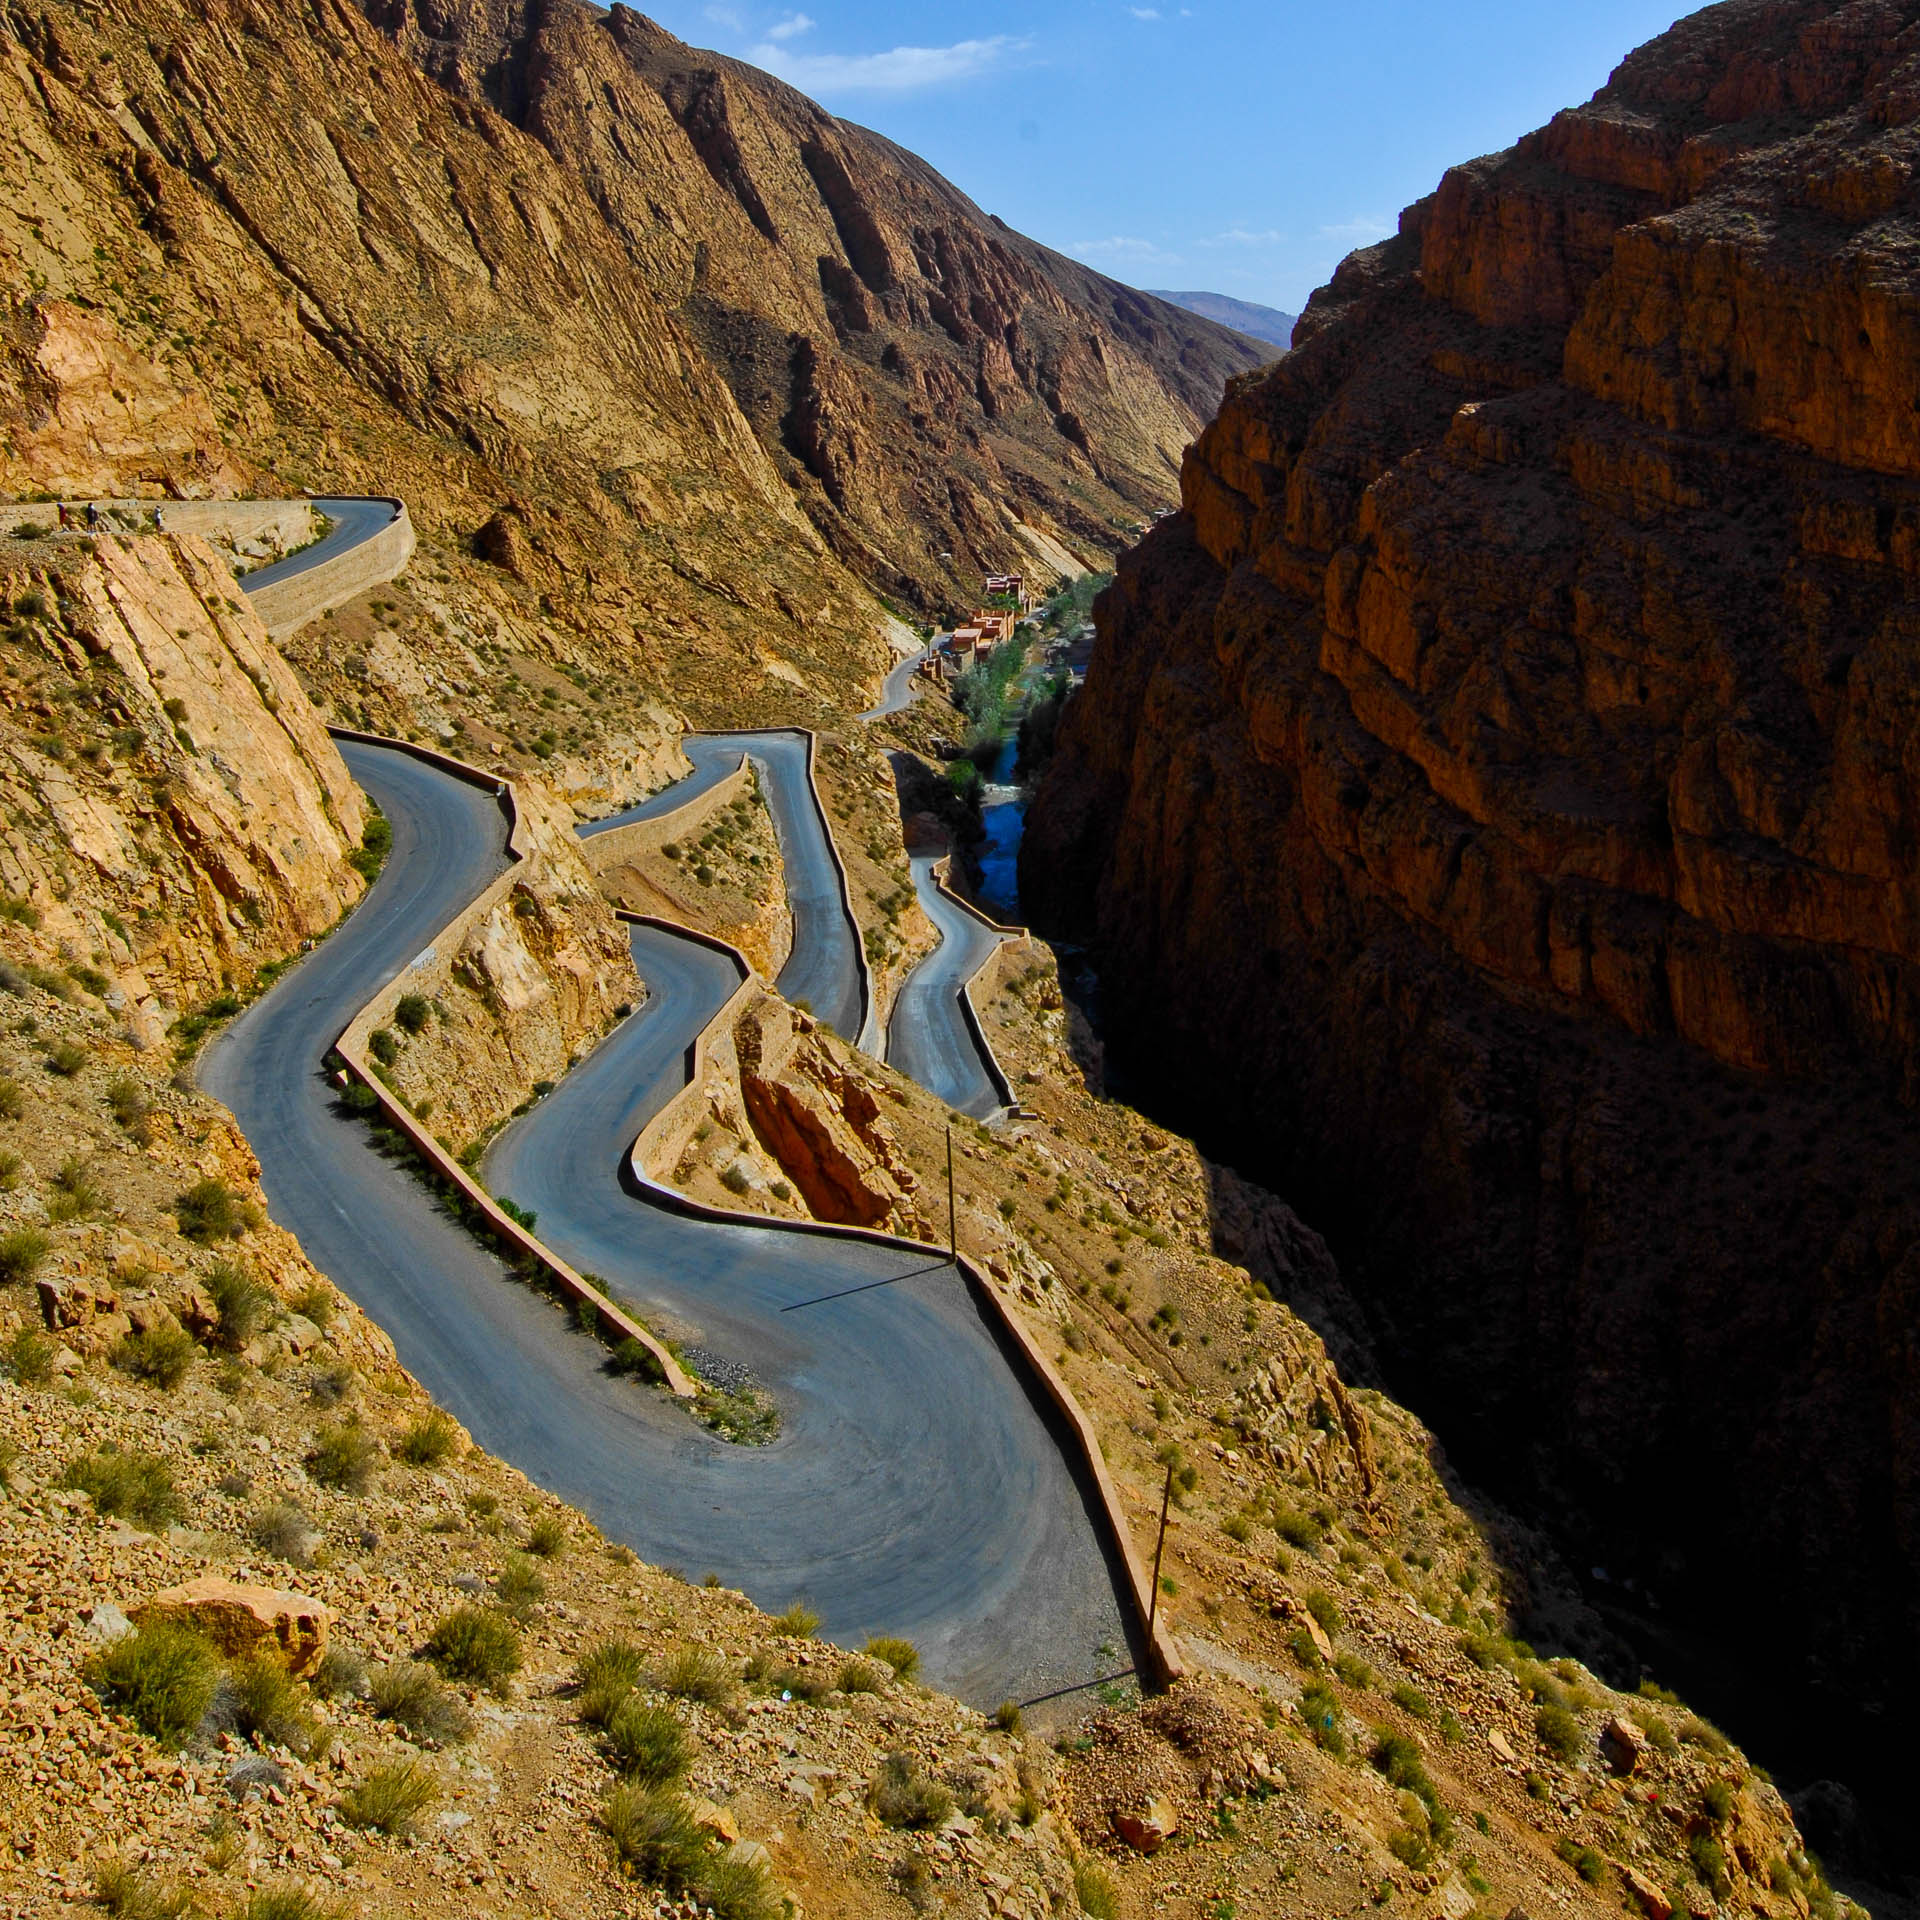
(921, 375)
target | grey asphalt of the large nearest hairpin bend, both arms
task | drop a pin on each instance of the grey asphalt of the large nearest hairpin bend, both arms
(917, 1485)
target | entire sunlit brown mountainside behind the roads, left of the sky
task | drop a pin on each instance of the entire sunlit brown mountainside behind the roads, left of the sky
(713, 366)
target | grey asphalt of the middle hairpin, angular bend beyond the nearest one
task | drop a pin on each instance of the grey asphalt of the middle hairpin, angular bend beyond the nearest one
(825, 967)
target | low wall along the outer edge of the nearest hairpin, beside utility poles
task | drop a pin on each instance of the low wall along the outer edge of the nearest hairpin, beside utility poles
(1163, 1652)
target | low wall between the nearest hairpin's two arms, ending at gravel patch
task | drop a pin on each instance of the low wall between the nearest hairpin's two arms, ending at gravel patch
(613, 1320)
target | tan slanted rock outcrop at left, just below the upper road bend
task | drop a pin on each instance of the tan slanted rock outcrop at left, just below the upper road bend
(178, 811)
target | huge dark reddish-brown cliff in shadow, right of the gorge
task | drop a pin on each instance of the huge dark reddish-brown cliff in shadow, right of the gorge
(1497, 794)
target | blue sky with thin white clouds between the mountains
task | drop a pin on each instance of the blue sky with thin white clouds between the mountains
(1224, 145)
